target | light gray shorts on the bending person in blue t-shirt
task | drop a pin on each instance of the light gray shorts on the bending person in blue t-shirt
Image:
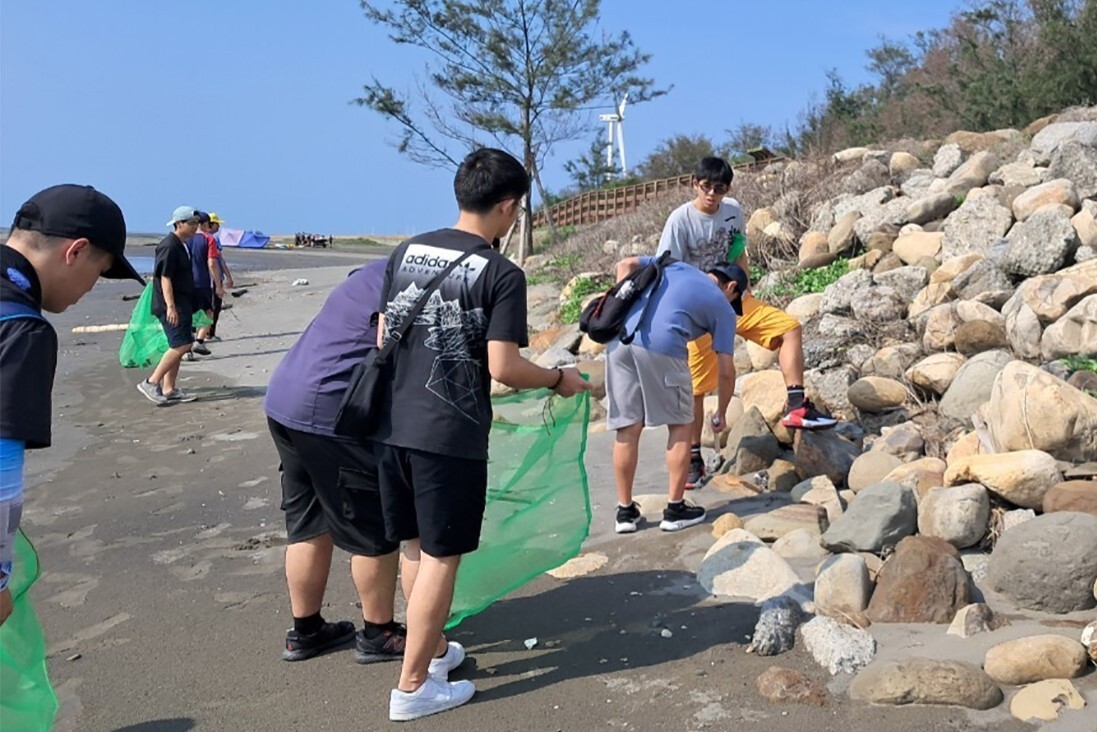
(647, 388)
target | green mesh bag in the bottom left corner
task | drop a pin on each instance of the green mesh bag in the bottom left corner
(28, 703)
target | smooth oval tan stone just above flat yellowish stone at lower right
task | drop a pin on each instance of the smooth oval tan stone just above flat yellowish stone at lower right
(1035, 659)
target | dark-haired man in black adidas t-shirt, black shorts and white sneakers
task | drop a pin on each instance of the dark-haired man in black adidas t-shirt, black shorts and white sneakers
(435, 414)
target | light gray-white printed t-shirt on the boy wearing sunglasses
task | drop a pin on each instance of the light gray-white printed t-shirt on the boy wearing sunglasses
(703, 240)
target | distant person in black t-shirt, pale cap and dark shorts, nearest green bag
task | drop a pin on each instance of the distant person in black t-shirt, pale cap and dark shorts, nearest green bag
(174, 305)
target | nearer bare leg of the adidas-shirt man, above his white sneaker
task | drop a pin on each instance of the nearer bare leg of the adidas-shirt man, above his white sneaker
(428, 609)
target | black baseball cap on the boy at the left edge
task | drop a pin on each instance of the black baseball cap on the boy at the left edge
(78, 212)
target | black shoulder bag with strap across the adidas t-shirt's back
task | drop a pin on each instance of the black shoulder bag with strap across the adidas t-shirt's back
(358, 413)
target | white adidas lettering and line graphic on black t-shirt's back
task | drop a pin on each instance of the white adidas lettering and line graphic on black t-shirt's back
(456, 374)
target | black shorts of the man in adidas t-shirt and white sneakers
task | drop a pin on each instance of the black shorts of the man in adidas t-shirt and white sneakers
(436, 499)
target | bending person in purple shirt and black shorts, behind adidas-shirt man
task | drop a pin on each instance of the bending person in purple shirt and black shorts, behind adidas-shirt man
(330, 483)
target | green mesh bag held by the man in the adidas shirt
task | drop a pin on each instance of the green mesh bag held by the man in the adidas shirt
(538, 511)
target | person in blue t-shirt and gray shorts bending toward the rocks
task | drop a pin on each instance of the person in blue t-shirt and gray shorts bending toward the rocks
(648, 381)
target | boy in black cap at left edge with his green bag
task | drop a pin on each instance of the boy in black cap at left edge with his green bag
(63, 240)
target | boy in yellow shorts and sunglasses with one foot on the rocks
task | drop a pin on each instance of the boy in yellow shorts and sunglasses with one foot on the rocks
(709, 231)
